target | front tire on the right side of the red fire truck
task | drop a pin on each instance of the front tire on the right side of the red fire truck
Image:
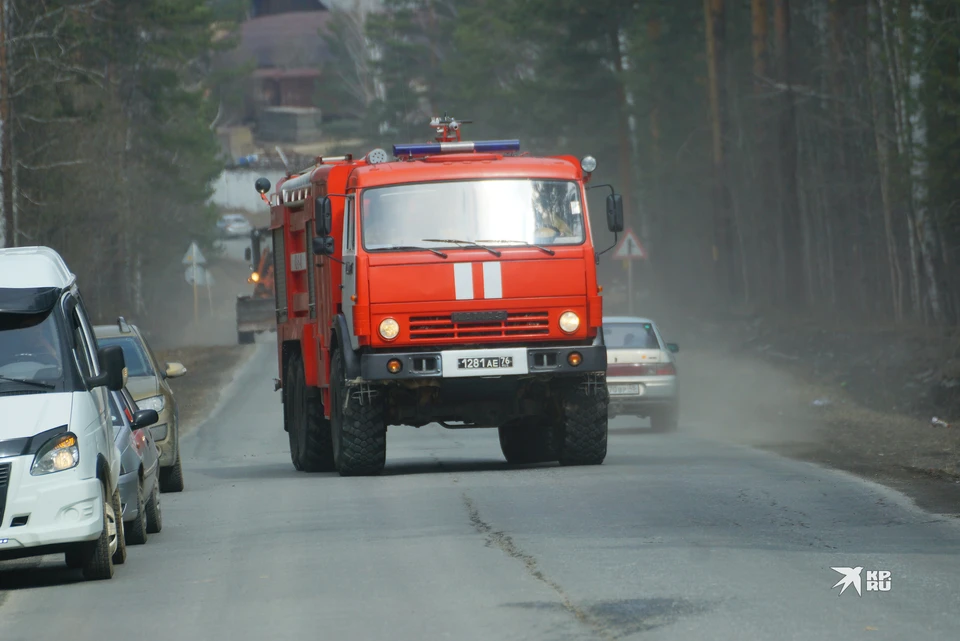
(584, 426)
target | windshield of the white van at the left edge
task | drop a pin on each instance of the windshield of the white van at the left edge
(30, 348)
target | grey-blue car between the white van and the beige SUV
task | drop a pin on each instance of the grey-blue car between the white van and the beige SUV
(139, 467)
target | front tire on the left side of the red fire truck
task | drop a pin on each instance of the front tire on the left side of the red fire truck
(359, 430)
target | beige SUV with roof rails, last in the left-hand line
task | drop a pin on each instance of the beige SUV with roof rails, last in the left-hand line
(147, 382)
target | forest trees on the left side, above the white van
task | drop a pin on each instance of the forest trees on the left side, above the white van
(107, 152)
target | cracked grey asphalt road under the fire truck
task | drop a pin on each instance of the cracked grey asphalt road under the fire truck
(674, 537)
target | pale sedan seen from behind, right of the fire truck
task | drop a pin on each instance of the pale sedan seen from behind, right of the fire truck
(641, 372)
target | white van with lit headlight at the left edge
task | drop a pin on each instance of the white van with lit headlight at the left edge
(59, 465)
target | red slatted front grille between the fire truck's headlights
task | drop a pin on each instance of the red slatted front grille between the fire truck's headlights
(494, 325)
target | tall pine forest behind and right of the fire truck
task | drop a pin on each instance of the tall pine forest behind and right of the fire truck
(792, 155)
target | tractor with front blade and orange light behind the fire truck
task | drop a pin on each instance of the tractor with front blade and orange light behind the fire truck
(256, 312)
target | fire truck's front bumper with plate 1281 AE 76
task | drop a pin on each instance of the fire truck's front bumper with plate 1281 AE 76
(470, 363)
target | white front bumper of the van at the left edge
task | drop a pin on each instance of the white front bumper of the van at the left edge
(52, 510)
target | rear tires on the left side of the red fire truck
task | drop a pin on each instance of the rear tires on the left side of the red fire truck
(310, 430)
